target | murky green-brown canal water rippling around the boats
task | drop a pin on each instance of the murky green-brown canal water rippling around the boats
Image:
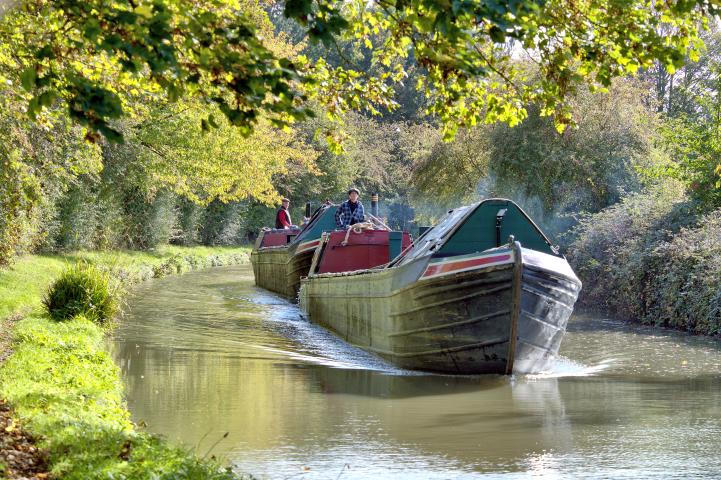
(208, 353)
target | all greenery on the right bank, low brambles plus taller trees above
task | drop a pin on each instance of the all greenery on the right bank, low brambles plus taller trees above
(653, 256)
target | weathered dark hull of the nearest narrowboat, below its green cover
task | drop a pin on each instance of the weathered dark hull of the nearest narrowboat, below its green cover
(499, 319)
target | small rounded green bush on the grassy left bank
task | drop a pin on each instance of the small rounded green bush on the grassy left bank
(83, 290)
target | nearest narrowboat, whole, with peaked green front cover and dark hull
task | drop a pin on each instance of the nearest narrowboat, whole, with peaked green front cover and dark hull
(482, 292)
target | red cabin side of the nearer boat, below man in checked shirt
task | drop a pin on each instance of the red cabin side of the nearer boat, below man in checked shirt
(366, 249)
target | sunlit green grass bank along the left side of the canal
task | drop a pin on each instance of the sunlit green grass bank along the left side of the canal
(63, 384)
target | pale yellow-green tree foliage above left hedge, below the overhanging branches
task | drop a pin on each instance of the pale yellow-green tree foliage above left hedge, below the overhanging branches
(220, 163)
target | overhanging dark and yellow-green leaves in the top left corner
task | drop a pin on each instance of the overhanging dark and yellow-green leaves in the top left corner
(177, 47)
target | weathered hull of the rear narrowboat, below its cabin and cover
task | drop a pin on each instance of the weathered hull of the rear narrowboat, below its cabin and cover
(280, 269)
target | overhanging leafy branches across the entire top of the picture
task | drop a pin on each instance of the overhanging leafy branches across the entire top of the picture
(89, 54)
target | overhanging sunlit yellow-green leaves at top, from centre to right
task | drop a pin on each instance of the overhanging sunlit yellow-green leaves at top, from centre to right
(473, 53)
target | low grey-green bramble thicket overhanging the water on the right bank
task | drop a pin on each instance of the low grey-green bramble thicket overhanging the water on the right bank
(653, 258)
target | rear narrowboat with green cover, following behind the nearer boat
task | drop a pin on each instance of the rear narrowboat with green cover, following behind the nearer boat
(281, 257)
